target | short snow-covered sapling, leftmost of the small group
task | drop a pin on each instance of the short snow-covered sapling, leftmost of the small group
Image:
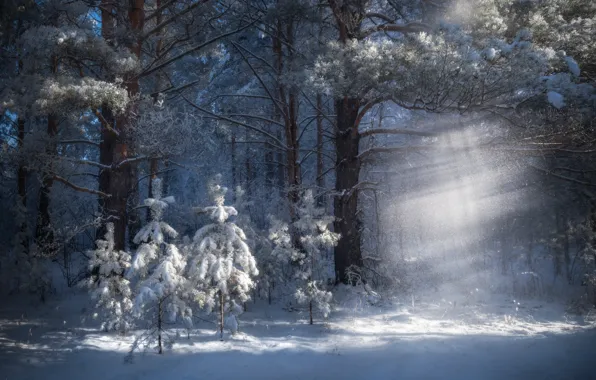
(108, 285)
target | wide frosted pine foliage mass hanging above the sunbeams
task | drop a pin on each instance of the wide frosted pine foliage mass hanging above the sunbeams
(412, 70)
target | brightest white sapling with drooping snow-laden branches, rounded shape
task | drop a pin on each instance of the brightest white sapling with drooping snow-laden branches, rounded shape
(221, 264)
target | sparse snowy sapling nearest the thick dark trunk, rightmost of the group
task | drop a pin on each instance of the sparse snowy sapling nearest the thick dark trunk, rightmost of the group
(315, 238)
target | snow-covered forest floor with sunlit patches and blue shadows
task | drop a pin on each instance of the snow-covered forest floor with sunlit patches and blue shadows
(409, 340)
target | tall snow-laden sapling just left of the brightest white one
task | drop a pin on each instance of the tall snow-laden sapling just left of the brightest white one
(159, 268)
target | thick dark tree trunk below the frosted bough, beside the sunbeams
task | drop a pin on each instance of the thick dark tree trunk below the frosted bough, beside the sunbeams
(347, 223)
